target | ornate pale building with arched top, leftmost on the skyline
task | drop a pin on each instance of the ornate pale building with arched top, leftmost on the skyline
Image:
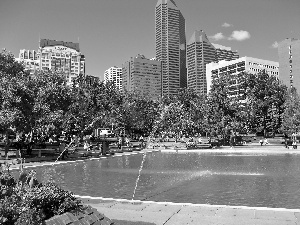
(56, 56)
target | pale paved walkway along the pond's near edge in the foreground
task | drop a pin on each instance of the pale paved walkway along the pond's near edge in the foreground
(180, 214)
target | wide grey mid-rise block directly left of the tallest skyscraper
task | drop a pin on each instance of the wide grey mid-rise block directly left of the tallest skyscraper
(143, 76)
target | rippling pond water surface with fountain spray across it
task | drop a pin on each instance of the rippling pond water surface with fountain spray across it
(251, 180)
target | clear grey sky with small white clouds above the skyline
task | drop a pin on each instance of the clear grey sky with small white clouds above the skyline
(109, 32)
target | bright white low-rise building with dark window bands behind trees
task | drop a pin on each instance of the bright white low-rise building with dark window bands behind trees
(234, 67)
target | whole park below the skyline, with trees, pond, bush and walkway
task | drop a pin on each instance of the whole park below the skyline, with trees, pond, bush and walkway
(188, 141)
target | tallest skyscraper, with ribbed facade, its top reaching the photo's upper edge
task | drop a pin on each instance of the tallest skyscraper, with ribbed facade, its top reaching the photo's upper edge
(170, 44)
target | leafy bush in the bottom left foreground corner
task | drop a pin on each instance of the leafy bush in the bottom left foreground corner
(26, 201)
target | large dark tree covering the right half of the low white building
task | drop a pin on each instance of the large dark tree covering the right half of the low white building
(265, 96)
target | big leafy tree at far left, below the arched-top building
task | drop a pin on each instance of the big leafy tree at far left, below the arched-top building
(30, 102)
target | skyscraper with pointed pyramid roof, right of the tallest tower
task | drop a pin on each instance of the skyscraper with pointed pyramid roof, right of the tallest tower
(199, 53)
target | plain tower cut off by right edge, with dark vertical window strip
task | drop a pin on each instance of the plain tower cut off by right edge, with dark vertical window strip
(289, 62)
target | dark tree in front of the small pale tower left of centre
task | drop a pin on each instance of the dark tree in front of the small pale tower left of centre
(92, 106)
